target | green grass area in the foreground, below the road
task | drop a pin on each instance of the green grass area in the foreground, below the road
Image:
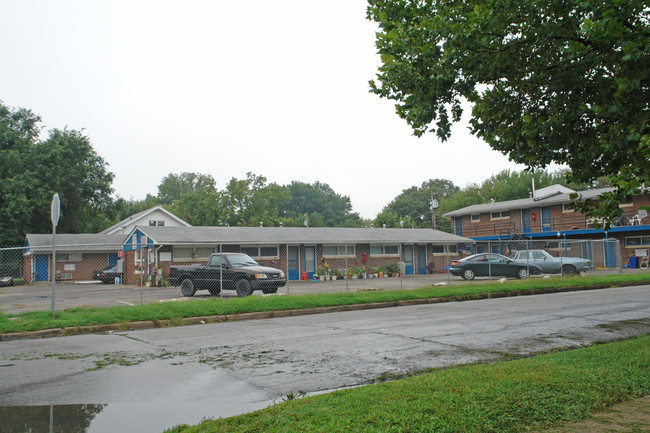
(515, 396)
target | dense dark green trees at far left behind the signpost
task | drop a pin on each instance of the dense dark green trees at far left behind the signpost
(32, 170)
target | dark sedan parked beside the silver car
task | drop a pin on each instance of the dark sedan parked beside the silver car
(496, 265)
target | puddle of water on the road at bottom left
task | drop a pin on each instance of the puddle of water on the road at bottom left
(150, 417)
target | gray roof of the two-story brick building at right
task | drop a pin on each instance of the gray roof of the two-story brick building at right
(525, 203)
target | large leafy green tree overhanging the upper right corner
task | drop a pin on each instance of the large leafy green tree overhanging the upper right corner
(550, 81)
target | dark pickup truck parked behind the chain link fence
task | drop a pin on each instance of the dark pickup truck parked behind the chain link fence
(230, 271)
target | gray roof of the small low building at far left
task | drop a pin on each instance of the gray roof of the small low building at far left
(75, 242)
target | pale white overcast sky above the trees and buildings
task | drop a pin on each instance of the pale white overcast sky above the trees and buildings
(277, 88)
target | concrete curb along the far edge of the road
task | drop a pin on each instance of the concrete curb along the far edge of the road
(202, 320)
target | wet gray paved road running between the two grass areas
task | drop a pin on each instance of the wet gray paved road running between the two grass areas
(239, 366)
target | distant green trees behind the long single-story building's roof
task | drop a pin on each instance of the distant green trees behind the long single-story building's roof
(252, 201)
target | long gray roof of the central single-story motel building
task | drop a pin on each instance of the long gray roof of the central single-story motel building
(296, 235)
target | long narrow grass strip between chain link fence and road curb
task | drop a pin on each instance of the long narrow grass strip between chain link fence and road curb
(92, 316)
